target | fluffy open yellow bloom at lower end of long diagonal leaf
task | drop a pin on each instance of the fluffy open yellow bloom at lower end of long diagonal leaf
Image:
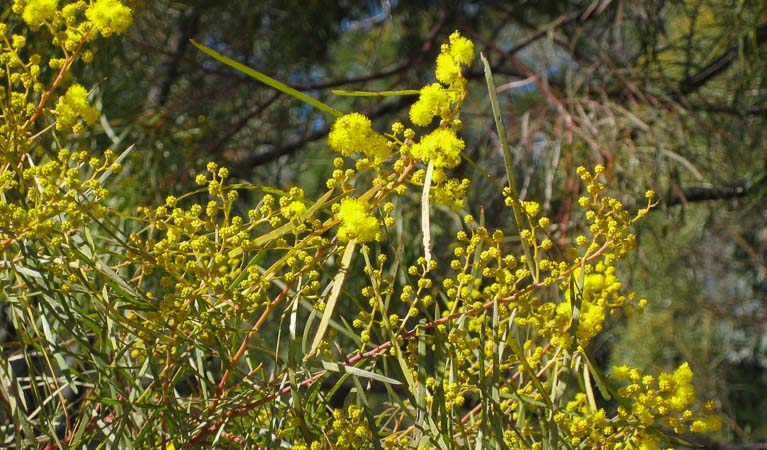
(354, 133)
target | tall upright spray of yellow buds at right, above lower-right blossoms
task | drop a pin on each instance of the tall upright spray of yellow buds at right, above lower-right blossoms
(594, 281)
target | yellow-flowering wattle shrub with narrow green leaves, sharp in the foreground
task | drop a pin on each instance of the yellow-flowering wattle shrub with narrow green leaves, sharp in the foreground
(299, 323)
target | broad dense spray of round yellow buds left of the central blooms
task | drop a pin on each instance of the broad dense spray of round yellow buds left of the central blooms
(199, 255)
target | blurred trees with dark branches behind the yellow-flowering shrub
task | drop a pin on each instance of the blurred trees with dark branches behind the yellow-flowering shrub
(667, 95)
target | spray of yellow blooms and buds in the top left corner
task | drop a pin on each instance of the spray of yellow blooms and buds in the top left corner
(69, 26)
